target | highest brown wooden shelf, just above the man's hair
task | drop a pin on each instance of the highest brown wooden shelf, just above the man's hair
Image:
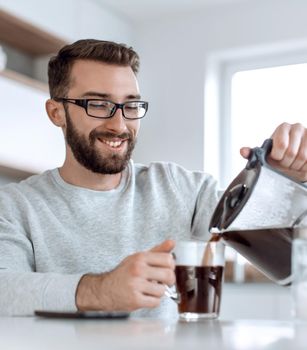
(26, 37)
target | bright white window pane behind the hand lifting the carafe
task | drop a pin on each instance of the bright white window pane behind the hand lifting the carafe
(261, 99)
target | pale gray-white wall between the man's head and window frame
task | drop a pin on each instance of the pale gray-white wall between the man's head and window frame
(174, 53)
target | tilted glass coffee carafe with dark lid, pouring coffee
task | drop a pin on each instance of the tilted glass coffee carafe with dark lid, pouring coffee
(258, 214)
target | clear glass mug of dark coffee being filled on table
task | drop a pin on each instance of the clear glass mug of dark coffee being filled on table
(199, 278)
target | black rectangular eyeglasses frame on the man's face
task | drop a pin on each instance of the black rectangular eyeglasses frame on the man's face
(84, 104)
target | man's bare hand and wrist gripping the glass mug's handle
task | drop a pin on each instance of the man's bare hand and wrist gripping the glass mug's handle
(137, 282)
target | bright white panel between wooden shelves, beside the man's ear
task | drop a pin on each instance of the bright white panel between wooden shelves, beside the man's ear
(29, 141)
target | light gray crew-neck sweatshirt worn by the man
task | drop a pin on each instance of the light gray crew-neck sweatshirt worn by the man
(51, 232)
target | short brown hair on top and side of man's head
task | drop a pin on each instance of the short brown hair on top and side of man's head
(59, 67)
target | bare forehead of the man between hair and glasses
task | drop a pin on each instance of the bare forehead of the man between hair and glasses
(88, 75)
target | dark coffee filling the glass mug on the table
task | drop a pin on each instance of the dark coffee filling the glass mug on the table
(200, 288)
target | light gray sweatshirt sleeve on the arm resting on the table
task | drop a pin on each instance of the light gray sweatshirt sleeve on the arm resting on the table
(22, 290)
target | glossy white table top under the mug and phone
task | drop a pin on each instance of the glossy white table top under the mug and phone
(30, 333)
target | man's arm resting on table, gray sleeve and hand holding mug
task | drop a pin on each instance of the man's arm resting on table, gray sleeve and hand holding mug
(132, 285)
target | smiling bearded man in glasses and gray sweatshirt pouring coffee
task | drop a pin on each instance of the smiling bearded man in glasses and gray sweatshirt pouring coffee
(96, 234)
